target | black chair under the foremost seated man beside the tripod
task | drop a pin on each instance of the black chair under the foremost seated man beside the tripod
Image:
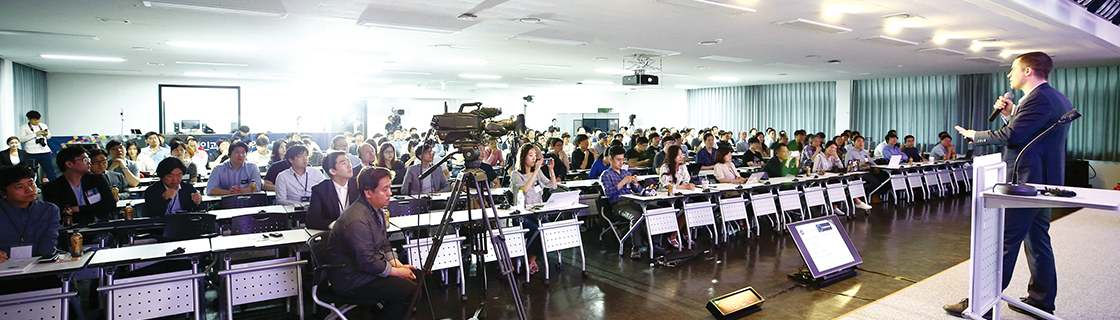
(322, 293)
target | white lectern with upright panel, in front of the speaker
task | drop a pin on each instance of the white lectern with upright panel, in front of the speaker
(987, 257)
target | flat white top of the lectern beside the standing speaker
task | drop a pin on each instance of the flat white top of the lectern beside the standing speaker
(1087, 199)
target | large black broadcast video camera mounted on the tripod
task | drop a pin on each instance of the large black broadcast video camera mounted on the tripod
(470, 130)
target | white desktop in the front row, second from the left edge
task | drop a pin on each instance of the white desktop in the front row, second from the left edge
(150, 252)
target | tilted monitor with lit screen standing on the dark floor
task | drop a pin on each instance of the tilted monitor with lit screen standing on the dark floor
(827, 249)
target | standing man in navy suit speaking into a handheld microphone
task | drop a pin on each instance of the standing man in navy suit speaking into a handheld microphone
(1040, 108)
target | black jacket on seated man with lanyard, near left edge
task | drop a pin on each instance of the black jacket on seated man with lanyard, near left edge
(59, 192)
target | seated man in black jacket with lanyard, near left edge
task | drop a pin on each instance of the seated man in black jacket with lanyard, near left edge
(88, 197)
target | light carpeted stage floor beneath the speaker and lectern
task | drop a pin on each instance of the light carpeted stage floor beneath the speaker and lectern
(1087, 249)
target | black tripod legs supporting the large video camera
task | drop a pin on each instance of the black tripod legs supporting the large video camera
(472, 177)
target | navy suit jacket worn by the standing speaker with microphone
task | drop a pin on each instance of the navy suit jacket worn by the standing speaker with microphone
(1046, 162)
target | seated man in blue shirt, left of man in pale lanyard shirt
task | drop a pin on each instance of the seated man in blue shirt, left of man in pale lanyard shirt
(235, 176)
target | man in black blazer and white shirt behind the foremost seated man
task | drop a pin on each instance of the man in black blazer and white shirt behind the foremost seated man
(331, 197)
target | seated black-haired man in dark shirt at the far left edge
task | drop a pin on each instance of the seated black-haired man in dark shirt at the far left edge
(31, 222)
